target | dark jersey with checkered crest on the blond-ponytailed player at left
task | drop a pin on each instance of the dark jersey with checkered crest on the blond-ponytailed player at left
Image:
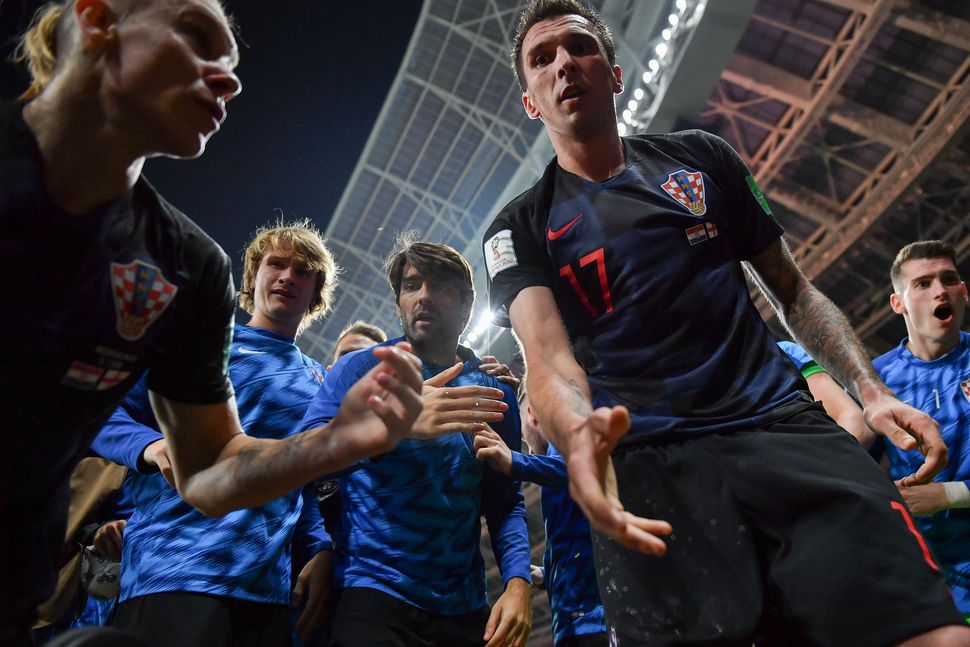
(87, 303)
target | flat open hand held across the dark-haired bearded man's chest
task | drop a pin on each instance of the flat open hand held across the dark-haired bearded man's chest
(450, 409)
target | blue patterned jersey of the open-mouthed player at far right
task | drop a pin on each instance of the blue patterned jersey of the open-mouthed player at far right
(940, 388)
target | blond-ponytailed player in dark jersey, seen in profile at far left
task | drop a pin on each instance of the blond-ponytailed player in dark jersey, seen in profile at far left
(101, 279)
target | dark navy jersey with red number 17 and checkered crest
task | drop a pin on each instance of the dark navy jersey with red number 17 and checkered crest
(646, 271)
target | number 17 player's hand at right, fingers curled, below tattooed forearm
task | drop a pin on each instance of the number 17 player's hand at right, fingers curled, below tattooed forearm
(909, 428)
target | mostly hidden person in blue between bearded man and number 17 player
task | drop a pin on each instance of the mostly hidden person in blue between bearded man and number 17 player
(568, 571)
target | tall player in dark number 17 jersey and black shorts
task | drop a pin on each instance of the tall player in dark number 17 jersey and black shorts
(728, 507)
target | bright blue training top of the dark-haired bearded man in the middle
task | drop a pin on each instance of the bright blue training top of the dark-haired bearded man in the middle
(410, 523)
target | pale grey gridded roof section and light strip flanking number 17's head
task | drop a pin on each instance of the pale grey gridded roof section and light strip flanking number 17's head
(452, 143)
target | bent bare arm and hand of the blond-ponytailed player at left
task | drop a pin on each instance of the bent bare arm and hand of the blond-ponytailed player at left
(218, 468)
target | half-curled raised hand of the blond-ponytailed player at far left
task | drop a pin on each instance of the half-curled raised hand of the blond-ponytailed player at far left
(380, 408)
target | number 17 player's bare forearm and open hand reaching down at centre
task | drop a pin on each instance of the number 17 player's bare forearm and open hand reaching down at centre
(560, 395)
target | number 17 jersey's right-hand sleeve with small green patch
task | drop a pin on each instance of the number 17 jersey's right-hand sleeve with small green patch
(750, 221)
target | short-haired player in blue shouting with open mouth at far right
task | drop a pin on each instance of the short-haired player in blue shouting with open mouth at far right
(930, 369)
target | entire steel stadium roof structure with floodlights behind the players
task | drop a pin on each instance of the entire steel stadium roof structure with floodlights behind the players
(852, 114)
